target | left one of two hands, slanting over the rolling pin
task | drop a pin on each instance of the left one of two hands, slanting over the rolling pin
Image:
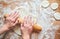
(11, 20)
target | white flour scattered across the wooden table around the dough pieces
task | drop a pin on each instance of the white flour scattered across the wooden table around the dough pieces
(43, 16)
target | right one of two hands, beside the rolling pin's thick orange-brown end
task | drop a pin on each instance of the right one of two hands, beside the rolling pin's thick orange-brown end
(27, 25)
